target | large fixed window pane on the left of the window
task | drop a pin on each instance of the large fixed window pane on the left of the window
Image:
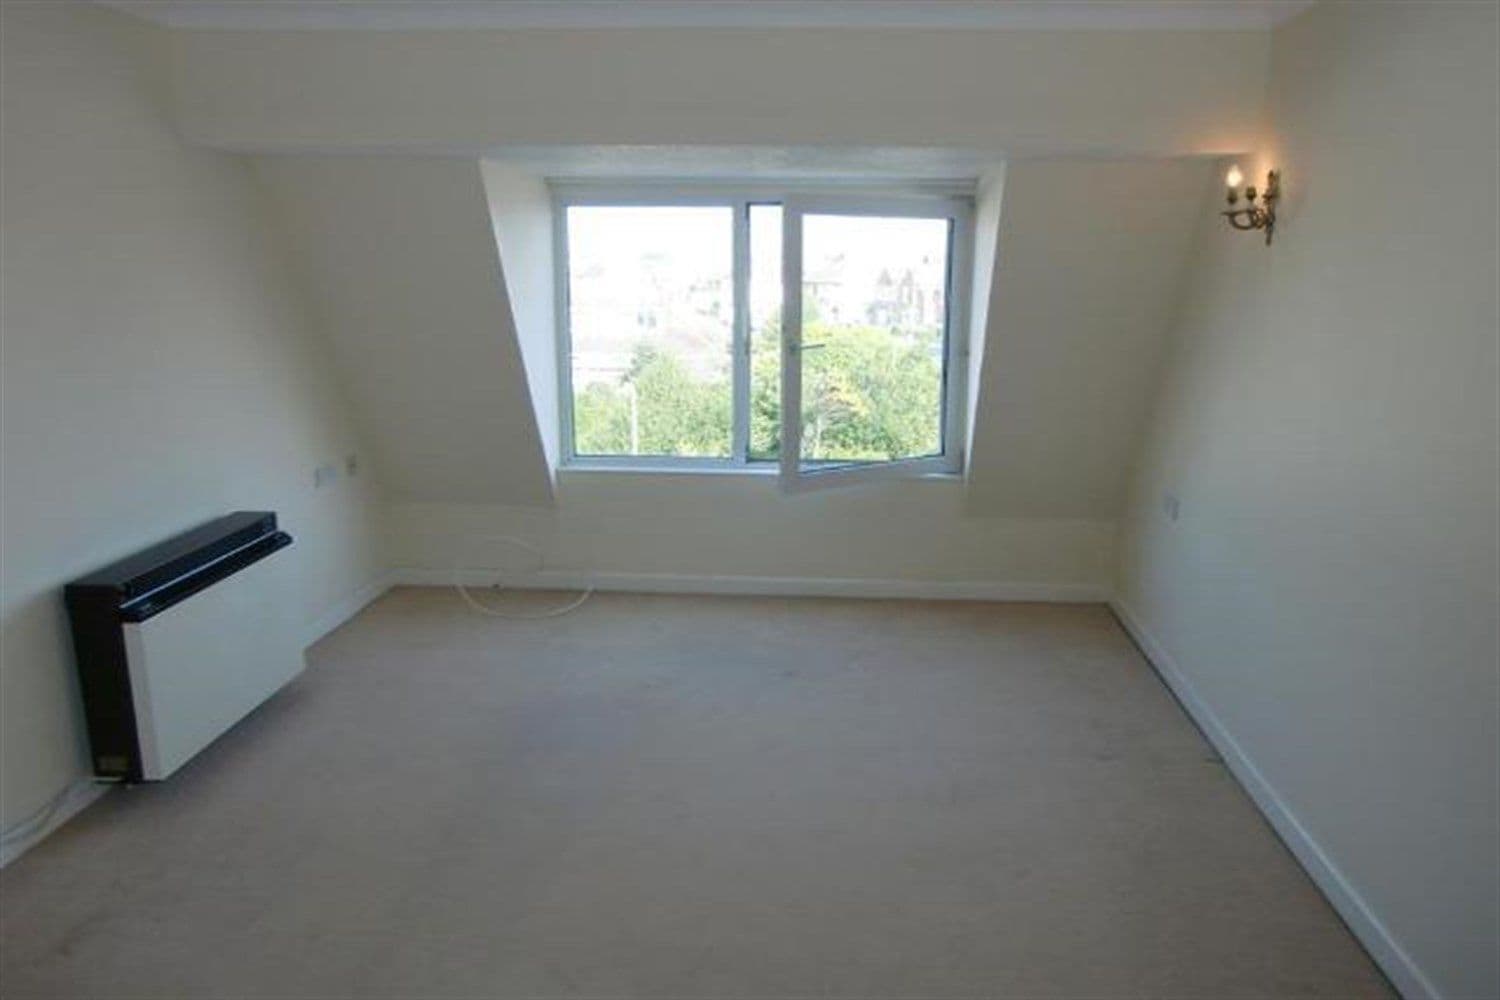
(650, 322)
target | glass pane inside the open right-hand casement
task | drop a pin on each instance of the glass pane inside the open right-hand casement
(874, 338)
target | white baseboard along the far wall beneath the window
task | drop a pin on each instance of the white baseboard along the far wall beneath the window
(770, 585)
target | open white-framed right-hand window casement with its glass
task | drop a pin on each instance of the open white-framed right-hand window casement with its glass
(872, 349)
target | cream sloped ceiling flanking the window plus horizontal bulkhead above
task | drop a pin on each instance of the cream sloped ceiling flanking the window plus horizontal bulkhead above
(373, 146)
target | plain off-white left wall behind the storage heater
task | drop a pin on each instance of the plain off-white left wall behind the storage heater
(158, 370)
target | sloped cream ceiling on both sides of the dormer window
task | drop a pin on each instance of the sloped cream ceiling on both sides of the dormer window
(401, 259)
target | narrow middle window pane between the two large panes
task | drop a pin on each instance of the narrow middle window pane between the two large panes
(766, 332)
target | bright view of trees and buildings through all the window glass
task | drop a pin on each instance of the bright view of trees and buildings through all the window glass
(652, 319)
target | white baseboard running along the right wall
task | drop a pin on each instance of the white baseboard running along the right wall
(1394, 960)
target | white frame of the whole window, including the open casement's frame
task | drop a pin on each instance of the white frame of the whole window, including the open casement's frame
(952, 202)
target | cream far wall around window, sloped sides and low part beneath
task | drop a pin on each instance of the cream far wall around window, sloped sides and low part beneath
(434, 332)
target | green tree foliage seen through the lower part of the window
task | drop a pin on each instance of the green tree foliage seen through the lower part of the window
(868, 395)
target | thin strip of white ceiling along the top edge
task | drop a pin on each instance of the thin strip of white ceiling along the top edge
(584, 14)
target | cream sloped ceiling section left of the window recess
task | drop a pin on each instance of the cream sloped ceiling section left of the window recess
(401, 265)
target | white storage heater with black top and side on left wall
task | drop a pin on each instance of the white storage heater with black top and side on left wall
(181, 641)
